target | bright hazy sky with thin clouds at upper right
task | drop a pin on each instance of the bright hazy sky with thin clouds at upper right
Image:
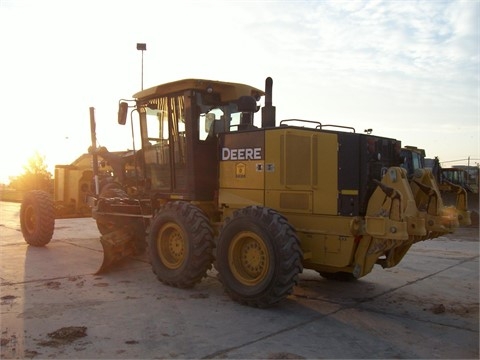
(409, 70)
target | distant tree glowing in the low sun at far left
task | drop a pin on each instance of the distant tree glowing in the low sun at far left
(35, 175)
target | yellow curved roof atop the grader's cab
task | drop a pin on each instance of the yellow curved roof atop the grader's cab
(228, 91)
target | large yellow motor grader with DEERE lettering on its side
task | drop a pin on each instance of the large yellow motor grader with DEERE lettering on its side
(260, 202)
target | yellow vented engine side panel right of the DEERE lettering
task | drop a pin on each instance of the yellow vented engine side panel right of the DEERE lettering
(299, 170)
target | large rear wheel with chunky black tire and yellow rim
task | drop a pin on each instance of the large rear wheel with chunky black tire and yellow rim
(258, 257)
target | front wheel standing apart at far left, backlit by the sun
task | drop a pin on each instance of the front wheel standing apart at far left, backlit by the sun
(37, 217)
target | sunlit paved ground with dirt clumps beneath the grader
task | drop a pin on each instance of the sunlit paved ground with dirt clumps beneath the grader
(53, 305)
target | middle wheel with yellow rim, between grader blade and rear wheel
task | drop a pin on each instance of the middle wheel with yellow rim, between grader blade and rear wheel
(181, 244)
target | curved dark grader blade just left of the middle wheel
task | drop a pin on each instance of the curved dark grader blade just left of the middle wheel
(116, 245)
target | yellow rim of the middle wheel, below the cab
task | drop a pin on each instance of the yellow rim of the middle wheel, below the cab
(171, 245)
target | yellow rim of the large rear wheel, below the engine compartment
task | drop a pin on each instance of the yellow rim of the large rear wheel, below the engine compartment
(248, 258)
